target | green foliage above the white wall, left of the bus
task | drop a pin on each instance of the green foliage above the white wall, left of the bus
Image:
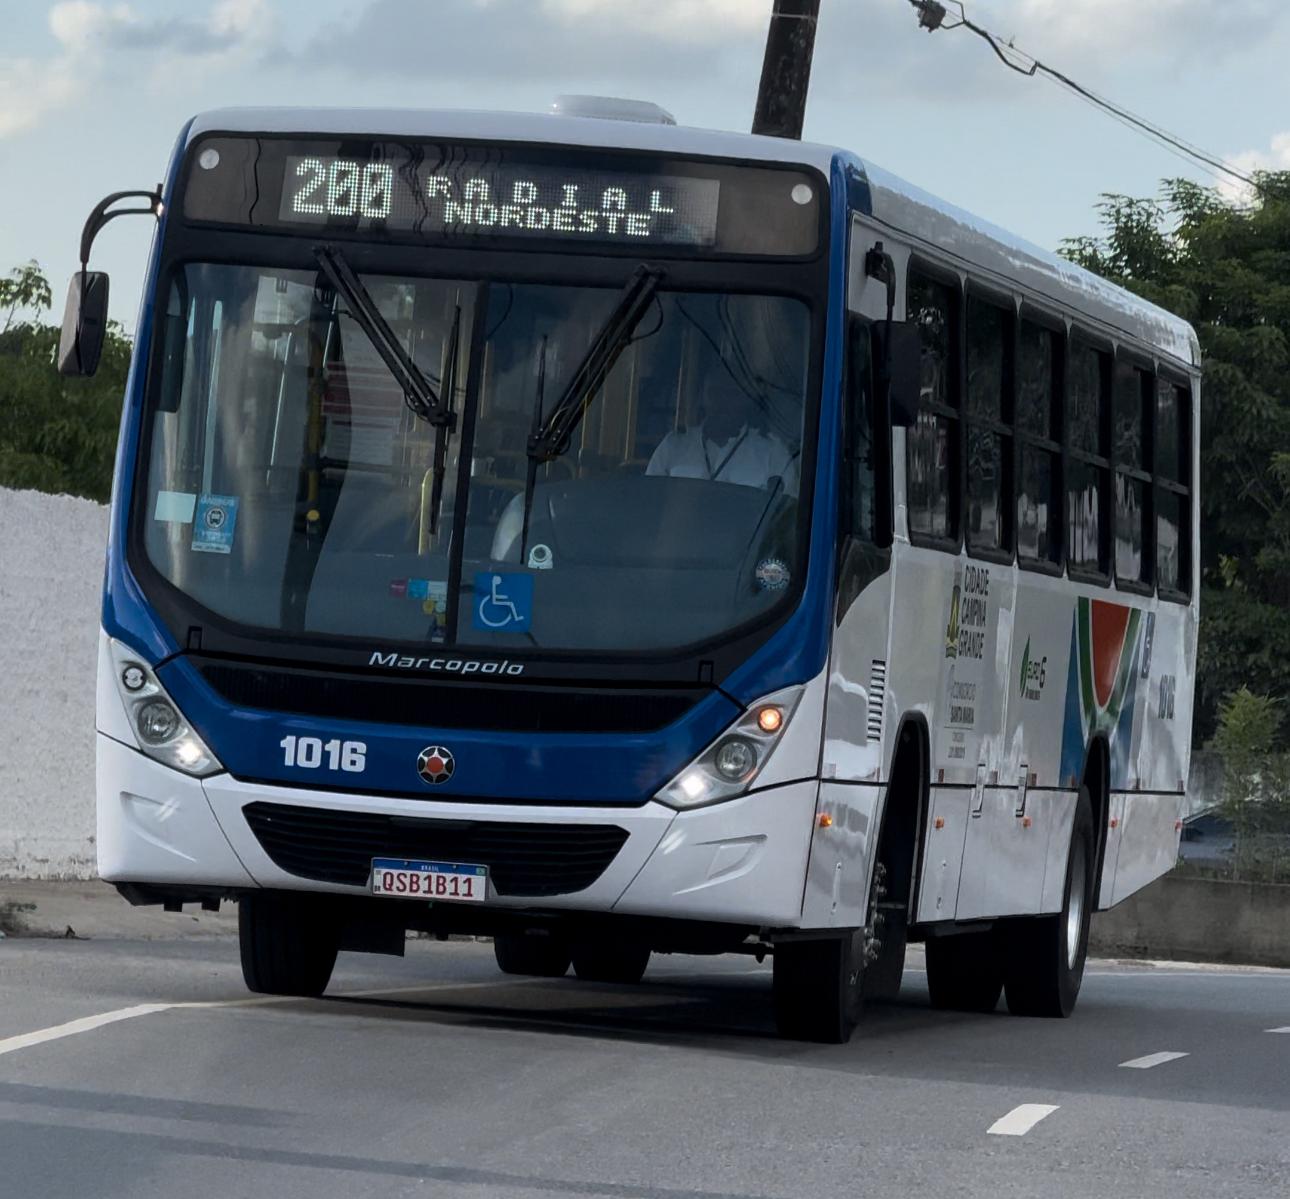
(56, 434)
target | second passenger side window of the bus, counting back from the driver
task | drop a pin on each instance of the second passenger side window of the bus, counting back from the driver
(990, 443)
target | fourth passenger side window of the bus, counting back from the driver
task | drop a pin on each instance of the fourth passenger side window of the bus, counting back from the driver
(1089, 465)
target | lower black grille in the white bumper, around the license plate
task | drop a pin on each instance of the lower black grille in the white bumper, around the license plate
(331, 846)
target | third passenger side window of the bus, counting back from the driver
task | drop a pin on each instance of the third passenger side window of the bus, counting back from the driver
(1039, 504)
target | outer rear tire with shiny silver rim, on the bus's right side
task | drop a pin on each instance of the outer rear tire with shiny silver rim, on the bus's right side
(1044, 956)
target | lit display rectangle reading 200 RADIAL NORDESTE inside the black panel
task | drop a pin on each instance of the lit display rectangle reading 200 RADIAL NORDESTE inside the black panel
(490, 199)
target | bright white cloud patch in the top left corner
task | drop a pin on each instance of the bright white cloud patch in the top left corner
(94, 39)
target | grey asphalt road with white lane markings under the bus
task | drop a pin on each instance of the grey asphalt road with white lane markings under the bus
(139, 1069)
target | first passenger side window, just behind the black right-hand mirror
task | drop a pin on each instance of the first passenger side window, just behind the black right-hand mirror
(932, 470)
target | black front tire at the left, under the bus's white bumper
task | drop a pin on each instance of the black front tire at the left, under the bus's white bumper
(288, 945)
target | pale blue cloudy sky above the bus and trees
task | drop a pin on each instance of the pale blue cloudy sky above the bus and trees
(94, 95)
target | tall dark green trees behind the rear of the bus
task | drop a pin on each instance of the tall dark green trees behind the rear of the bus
(1226, 268)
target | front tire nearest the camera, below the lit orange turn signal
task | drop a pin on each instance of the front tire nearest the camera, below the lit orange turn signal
(819, 989)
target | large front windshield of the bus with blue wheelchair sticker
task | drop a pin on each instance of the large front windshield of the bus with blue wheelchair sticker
(293, 487)
